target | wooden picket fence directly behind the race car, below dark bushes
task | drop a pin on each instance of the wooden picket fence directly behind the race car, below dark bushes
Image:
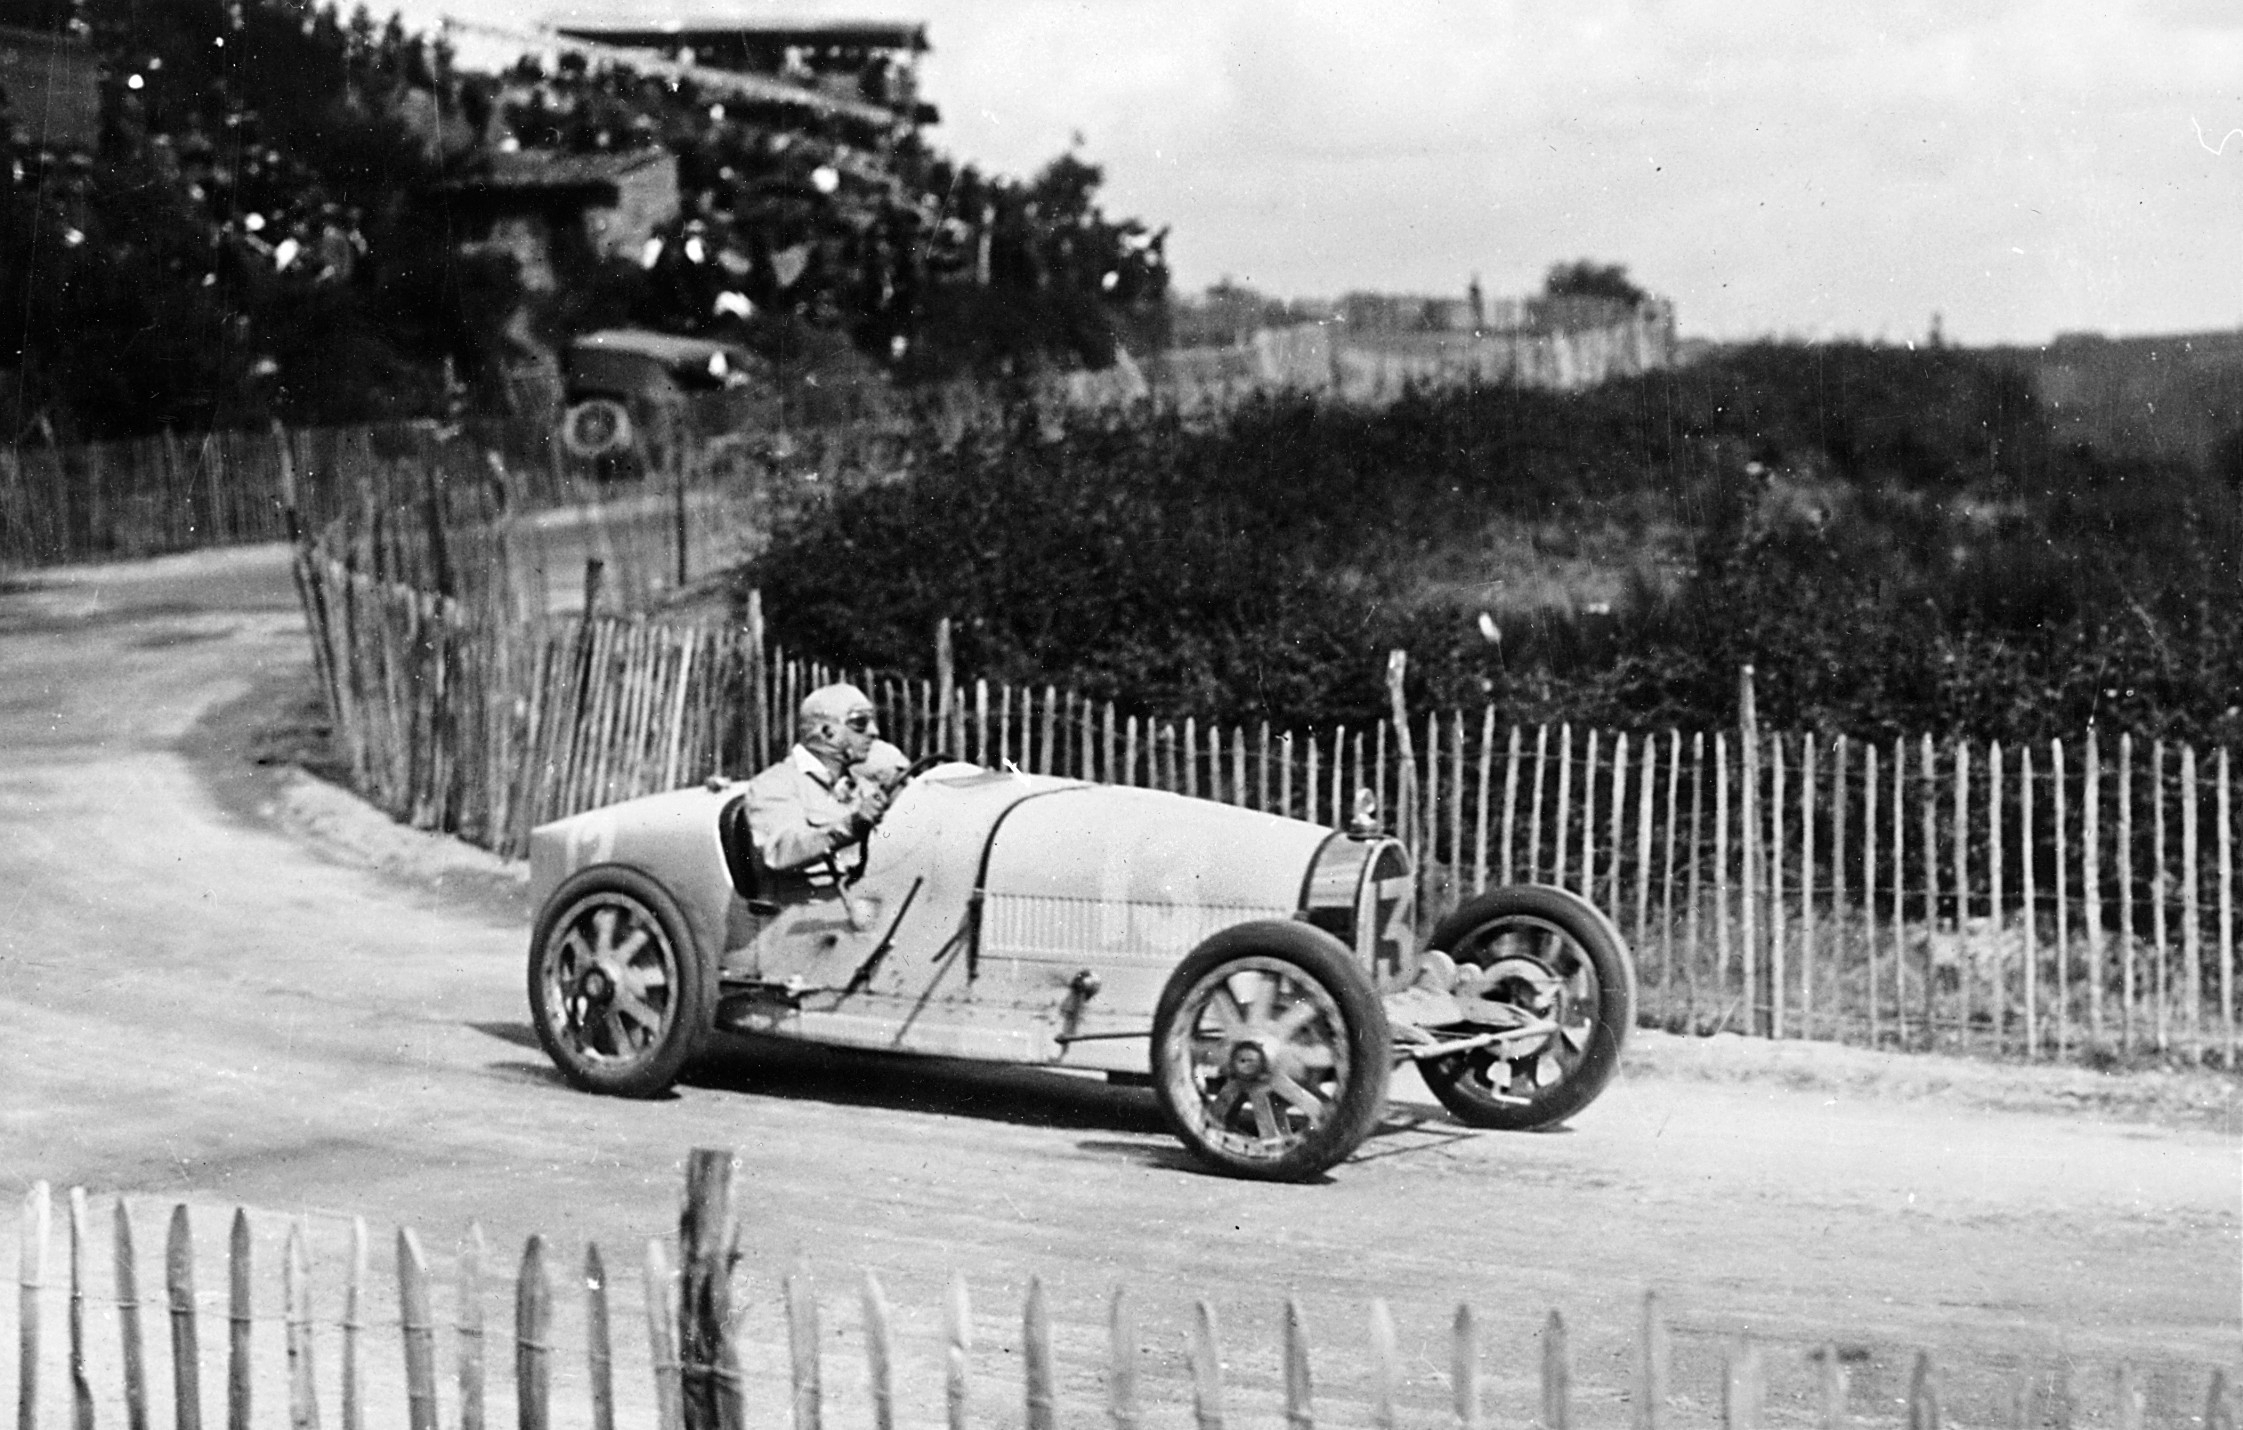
(2044, 902)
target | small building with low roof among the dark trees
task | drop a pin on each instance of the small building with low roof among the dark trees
(553, 210)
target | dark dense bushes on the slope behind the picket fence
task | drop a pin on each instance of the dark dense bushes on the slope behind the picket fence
(1890, 537)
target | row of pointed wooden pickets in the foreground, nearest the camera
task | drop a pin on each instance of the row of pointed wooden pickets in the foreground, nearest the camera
(699, 1359)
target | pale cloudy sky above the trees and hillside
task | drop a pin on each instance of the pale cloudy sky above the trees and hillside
(1773, 167)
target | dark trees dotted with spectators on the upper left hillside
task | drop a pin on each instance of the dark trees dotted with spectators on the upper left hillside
(264, 232)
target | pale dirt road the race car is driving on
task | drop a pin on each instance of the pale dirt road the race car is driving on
(199, 1003)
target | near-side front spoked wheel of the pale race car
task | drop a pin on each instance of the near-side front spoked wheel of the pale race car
(1271, 1052)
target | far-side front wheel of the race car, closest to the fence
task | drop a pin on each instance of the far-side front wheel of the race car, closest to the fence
(1551, 954)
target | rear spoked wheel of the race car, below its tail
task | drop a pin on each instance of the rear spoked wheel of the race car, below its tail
(618, 990)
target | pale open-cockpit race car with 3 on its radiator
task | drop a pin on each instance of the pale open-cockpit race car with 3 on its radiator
(1262, 972)
